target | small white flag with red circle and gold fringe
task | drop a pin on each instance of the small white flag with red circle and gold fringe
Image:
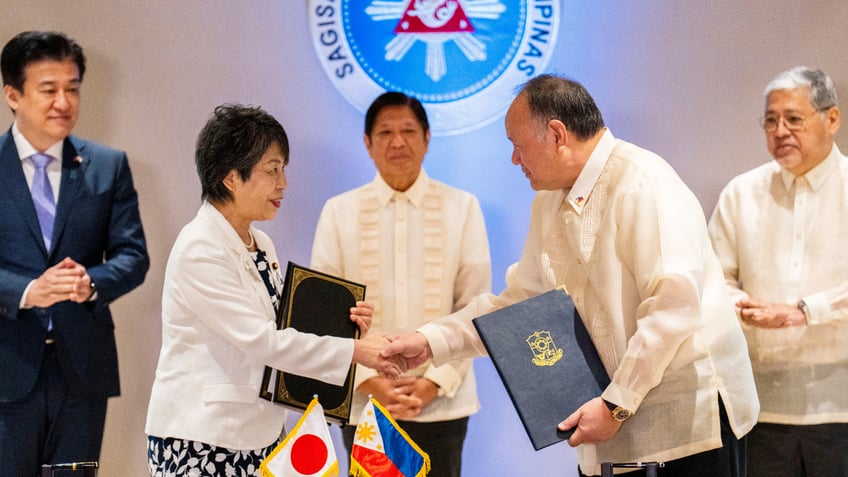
(307, 450)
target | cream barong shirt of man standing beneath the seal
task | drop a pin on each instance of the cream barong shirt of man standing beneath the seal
(422, 254)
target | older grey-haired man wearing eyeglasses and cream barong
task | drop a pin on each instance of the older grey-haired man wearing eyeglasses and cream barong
(781, 234)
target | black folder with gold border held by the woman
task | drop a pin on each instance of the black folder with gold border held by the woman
(318, 303)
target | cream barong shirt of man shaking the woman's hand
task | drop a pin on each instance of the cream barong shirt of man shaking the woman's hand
(629, 242)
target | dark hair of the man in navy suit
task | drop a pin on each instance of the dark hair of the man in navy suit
(33, 46)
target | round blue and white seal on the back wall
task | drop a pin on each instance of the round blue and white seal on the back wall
(461, 58)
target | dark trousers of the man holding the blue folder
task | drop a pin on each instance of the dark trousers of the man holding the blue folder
(729, 460)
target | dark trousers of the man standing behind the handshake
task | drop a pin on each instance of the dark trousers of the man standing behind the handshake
(441, 440)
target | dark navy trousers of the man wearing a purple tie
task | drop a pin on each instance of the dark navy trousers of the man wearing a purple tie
(51, 425)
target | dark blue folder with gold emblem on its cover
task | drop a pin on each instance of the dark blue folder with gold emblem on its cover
(546, 360)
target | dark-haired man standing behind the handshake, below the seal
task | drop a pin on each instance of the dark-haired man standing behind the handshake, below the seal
(421, 249)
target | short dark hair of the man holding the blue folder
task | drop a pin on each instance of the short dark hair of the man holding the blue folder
(554, 97)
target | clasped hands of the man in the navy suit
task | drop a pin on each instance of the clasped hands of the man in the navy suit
(67, 280)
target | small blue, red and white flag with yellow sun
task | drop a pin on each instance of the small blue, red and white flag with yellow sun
(382, 449)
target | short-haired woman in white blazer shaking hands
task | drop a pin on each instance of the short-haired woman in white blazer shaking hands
(221, 290)
